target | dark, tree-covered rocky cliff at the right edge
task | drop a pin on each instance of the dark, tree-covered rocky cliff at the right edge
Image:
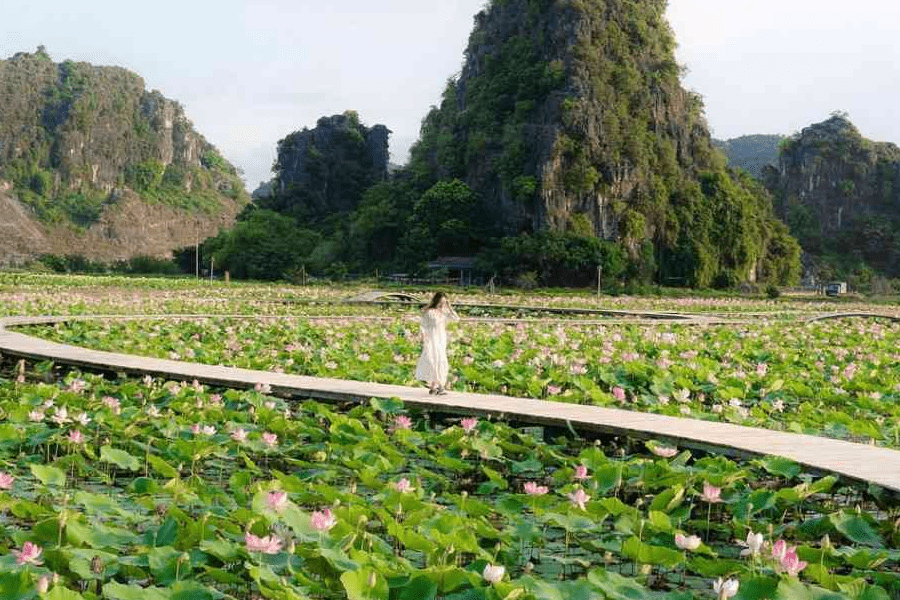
(840, 193)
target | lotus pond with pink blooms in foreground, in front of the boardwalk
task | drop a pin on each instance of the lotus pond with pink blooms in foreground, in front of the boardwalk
(154, 490)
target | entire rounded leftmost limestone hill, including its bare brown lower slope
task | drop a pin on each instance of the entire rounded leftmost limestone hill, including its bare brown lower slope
(86, 150)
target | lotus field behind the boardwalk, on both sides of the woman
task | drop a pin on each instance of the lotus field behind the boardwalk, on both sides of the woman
(838, 378)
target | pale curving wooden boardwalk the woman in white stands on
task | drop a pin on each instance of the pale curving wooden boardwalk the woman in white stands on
(858, 462)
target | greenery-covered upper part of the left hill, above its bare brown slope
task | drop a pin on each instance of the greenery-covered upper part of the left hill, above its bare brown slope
(76, 138)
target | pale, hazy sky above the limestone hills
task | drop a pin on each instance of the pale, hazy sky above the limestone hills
(249, 73)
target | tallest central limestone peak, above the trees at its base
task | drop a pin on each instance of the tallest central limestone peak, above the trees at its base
(570, 112)
